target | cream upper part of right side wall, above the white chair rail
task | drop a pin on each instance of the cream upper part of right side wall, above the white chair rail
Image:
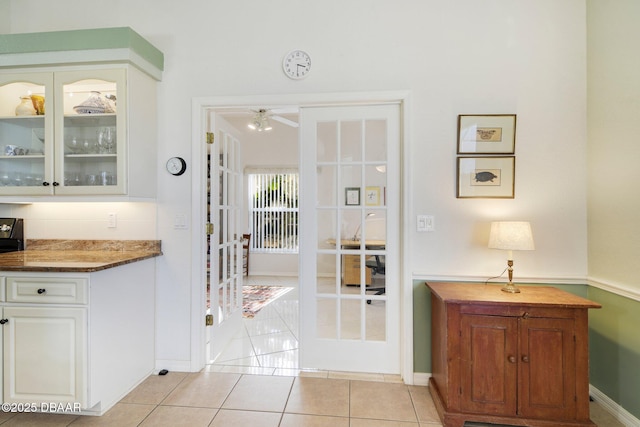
(614, 229)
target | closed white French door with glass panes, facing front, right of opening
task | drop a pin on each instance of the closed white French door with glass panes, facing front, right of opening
(349, 245)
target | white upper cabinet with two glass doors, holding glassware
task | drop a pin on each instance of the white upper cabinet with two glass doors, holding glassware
(77, 131)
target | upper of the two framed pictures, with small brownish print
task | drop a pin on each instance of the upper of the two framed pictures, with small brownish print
(489, 134)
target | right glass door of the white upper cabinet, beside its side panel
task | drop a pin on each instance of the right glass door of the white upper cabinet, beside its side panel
(90, 132)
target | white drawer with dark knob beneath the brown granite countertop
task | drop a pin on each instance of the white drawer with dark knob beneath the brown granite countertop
(48, 290)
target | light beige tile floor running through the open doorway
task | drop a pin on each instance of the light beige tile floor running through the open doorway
(264, 388)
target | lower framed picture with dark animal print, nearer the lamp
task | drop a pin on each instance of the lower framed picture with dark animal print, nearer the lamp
(486, 177)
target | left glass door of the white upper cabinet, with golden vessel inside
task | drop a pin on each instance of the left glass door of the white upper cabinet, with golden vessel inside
(26, 134)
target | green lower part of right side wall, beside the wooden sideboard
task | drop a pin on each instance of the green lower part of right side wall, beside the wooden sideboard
(614, 350)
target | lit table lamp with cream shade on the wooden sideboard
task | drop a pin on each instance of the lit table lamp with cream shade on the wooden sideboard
(511, 236)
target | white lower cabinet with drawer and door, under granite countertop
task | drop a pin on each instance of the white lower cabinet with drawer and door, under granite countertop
(76, 342)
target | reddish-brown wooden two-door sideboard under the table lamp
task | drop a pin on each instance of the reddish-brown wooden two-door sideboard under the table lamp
(517, 359)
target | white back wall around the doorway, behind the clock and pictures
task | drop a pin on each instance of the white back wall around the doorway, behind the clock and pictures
(455, 56)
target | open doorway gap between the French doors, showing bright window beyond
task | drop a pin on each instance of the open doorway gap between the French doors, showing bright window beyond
(267, 336)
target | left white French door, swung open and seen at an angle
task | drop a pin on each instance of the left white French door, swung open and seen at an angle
(224, 243)
